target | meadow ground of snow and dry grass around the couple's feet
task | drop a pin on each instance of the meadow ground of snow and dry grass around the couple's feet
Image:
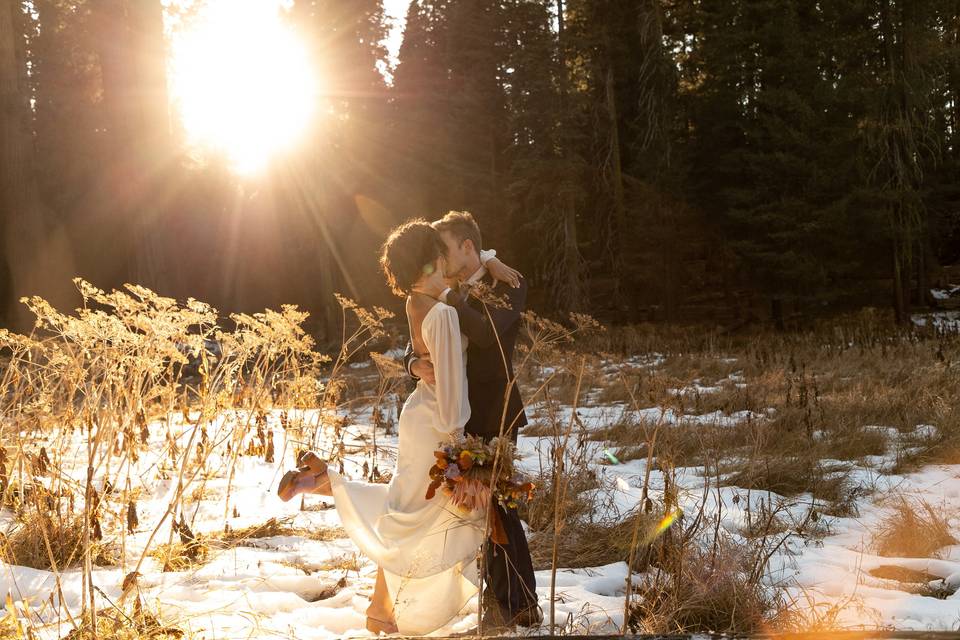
(753, 484)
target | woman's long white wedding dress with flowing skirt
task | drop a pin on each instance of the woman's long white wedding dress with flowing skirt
(427, 548)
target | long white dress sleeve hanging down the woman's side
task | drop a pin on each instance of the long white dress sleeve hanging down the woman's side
(441, 333)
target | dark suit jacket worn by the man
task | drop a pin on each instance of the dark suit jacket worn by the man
(489, 370)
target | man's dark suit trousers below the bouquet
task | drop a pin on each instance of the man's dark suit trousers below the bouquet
(509, 570)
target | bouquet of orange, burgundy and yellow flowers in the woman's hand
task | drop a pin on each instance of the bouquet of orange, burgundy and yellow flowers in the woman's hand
(464, 472)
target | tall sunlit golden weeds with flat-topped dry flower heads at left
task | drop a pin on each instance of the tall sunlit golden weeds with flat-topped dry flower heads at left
(101, 375)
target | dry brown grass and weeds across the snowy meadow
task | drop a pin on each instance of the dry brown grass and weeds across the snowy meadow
(134, 371)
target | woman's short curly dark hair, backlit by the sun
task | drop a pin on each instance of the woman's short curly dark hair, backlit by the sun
(408, 251)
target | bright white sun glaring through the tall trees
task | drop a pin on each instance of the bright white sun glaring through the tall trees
(242, 83)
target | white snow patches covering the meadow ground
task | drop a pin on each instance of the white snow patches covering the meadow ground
(294, 586)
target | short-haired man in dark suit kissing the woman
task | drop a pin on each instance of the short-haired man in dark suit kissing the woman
(510, 598)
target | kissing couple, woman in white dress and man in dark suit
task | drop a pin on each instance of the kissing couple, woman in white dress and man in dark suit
(460, 353)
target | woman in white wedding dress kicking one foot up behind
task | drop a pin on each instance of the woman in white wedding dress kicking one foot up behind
(426, 549)
